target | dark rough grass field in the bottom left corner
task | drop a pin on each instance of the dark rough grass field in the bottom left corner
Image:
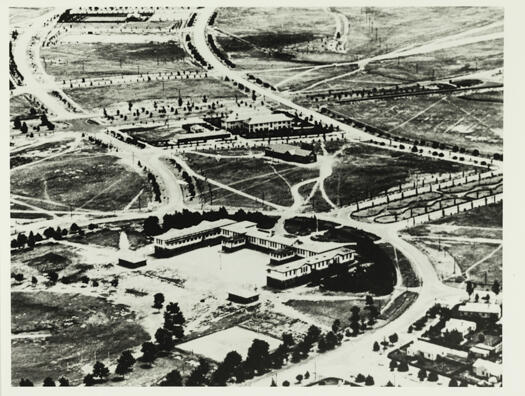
(78, 327)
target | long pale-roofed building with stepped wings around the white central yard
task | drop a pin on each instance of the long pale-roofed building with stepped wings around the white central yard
(293, 260)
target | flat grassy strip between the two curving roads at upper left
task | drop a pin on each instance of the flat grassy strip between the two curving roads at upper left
(68, 61)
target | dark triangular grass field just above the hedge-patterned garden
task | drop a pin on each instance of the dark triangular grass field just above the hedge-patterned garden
(362, 171)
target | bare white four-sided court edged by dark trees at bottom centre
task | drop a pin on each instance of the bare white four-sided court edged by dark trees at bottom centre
(217, 345)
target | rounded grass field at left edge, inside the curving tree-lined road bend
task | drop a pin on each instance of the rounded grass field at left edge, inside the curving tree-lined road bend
(88, 179)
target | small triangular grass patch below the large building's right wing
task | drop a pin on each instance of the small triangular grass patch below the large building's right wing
(326, 312)
